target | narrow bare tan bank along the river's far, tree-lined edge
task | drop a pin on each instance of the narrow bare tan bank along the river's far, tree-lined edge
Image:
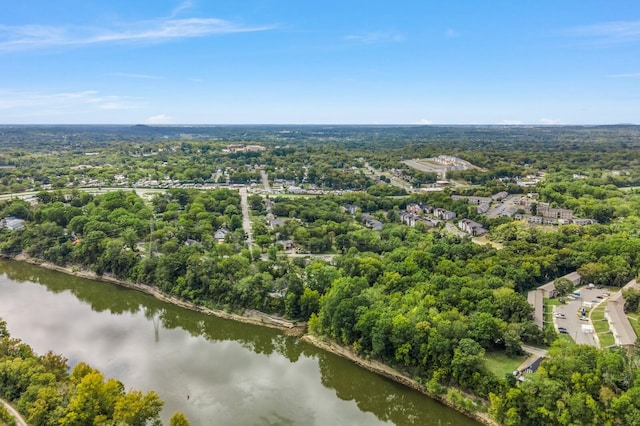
(254, 317)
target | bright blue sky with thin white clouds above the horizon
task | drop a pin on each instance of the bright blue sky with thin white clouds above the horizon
(312, 62)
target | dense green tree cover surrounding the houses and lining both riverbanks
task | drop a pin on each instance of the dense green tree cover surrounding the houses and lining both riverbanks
(431, 303)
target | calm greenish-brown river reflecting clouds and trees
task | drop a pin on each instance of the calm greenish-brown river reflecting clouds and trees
(215, 371)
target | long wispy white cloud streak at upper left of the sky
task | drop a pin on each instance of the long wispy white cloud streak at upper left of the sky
(15, 38)
